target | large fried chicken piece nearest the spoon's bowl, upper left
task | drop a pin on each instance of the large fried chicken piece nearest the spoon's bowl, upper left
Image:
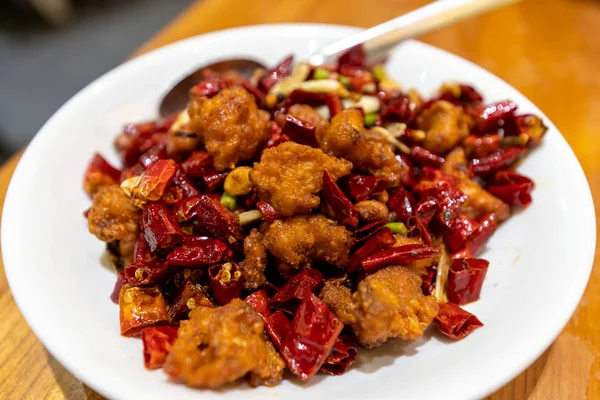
(232, 126)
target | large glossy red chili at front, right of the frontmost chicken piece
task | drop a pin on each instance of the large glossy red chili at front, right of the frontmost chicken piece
(312, 337)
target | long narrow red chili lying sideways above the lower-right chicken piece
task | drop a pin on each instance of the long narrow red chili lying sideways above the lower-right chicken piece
(401, 255)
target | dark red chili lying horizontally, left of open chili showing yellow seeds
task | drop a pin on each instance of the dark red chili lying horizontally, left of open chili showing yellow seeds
(199, 253)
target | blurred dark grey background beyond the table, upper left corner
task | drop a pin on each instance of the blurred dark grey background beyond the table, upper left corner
(50, 49)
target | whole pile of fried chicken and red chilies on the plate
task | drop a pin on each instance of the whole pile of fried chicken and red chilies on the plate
(287, 220)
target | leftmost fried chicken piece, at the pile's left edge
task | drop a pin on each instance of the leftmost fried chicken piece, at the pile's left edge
(113, 215)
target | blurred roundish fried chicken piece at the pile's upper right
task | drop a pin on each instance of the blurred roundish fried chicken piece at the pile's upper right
(445, 125)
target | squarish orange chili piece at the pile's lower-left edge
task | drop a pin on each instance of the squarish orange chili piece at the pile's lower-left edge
(141, 307)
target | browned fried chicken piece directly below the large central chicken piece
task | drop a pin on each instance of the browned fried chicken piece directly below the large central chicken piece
(301, 240)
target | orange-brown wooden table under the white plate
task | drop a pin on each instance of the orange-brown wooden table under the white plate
(547, 49)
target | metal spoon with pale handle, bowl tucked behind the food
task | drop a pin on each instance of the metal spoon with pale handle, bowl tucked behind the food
(376, 40)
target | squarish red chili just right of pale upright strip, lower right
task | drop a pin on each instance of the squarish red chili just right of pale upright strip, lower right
(465, 279)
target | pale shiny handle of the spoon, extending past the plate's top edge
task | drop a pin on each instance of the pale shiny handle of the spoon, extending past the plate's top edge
(428, 18)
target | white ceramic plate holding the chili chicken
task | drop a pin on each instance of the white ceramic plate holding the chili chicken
(540, 259)
